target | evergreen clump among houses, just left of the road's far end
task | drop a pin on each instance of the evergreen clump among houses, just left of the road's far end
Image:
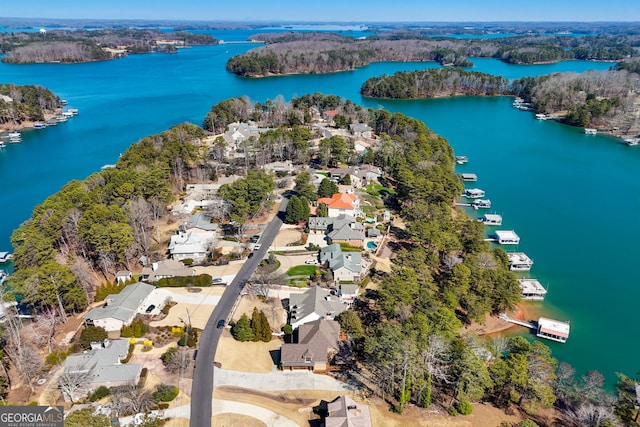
(247, 195)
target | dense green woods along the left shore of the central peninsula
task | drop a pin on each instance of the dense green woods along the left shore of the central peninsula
(102, 223)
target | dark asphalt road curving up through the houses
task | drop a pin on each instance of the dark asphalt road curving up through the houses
(202, 388)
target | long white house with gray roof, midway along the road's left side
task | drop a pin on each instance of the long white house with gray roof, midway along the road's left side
(120, 309)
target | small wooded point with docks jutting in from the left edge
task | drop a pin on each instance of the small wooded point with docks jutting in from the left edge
(26, 103)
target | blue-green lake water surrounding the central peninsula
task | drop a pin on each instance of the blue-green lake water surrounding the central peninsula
(571, 197)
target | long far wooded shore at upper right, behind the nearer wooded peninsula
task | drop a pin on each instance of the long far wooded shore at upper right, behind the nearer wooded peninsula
(311, 53)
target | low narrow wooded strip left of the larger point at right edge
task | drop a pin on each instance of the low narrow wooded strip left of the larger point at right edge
(434, 83)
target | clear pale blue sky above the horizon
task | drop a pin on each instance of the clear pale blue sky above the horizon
(329, 10)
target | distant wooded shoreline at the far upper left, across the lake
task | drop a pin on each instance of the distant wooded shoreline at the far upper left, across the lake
(70, 46)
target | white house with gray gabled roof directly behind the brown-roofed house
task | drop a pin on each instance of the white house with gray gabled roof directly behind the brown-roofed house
(316, 303)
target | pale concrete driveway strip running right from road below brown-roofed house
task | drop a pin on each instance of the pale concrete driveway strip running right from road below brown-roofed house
(278, 380)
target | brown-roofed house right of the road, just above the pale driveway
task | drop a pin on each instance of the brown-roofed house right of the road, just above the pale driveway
(318, 347)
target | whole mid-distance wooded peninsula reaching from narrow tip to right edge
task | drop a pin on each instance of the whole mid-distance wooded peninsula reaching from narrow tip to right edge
(605, 100)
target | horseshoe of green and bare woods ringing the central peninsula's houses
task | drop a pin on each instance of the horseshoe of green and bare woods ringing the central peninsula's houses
(407, 333)
